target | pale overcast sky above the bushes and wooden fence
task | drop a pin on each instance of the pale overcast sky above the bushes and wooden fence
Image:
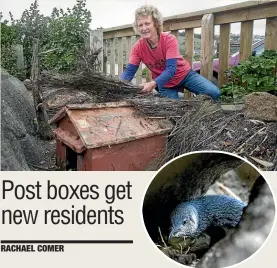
(111, 13)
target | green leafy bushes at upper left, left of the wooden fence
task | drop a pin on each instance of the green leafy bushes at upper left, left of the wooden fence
(62, 37)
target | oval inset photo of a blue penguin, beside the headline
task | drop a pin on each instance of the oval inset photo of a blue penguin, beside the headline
(208, 209)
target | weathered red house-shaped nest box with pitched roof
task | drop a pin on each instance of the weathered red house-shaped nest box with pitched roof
(108, 136)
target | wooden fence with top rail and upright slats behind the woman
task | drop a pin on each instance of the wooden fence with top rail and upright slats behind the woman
(245, 13)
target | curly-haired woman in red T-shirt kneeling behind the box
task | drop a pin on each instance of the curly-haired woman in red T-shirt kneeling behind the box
(159, 51)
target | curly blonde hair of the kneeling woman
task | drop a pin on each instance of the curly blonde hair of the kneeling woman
(148, 10)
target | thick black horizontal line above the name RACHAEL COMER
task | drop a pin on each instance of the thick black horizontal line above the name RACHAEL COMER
(67, 241)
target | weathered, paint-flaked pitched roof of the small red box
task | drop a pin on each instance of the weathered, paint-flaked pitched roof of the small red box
(111, 123)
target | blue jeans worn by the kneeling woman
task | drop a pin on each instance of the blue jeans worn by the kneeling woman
(195, 83)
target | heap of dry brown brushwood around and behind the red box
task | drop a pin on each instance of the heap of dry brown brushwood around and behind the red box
(199, 124)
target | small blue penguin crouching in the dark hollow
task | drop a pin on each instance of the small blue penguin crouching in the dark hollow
(191, 218)
